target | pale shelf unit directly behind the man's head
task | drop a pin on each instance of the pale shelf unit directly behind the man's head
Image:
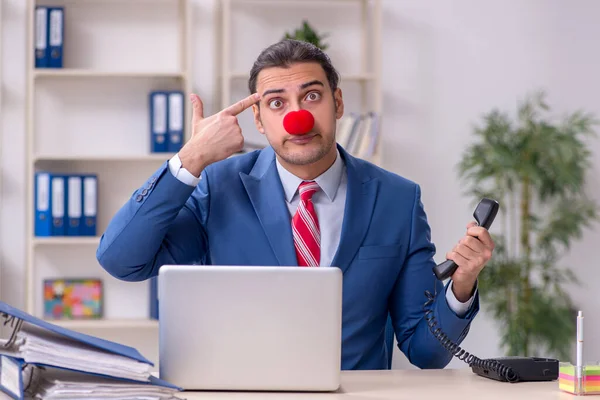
(359, 20)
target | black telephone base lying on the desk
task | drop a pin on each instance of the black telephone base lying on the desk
(528, 369)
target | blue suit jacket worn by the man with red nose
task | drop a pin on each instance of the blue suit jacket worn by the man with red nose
(237, 215)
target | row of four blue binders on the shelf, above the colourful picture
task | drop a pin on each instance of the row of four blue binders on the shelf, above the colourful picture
(65, 205)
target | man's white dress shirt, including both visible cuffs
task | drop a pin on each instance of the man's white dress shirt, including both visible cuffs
(329, 203)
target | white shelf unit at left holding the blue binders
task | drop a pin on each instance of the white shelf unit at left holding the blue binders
(91, 116)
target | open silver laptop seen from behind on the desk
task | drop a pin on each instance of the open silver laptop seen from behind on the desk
(250, 328)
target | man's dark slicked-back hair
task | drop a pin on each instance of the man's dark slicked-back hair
(288, 52)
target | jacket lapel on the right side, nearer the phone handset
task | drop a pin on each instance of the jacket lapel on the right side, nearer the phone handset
(360, 201)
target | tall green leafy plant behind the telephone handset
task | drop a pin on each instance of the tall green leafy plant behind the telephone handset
(535, 166)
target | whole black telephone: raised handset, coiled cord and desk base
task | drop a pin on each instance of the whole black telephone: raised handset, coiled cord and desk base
(506, 369)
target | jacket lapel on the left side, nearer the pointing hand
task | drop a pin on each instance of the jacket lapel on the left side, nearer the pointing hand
(266, 194)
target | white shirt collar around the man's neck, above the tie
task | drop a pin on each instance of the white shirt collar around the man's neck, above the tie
(328, 181)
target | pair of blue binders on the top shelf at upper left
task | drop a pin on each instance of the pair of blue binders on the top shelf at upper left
(49, 33)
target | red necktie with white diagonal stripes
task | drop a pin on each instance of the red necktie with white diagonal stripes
(305, 226)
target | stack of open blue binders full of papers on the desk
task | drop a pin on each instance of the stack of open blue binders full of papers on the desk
(43, 360)
